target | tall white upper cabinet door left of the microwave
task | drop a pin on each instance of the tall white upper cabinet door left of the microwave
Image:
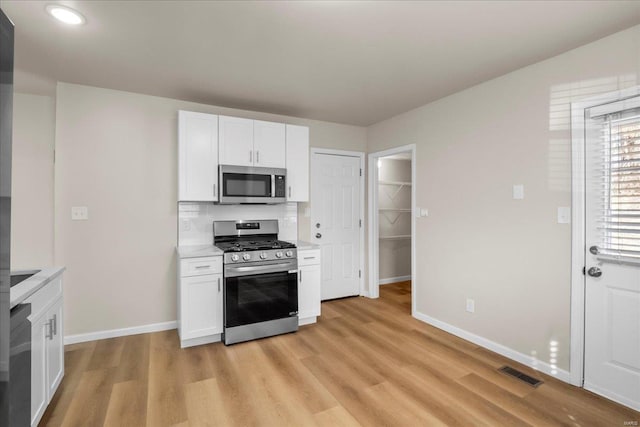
(197, 156)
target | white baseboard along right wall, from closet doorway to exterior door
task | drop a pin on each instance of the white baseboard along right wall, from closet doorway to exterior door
(527, 360)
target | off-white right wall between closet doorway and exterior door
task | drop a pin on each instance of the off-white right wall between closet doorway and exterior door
(477, 242)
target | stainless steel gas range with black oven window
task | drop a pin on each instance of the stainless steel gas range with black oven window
(260, 280)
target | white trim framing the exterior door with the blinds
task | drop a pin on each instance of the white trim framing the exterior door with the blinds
(578, 223)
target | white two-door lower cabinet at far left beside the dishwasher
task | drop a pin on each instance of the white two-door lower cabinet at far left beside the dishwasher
(47, 346)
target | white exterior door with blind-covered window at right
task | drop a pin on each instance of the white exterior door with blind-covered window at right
(612, 285)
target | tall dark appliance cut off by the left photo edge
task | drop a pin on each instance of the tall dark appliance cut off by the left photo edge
(6, 117)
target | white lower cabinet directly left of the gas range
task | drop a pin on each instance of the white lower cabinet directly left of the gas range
(200, 300)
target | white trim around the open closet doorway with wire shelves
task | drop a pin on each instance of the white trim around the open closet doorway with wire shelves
(374, 279)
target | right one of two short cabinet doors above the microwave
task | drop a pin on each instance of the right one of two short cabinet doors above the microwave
(269, 144)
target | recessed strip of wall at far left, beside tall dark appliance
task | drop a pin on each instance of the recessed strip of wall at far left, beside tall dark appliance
(32, 182)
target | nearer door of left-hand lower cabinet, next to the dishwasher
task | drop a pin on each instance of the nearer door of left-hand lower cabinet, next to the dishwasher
(39, 337)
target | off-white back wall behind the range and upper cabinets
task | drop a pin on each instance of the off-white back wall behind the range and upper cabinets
(116, 152)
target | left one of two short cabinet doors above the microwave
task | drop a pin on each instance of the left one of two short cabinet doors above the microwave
(236, 141)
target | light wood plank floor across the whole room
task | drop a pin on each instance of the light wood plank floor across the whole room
(366, 362)
